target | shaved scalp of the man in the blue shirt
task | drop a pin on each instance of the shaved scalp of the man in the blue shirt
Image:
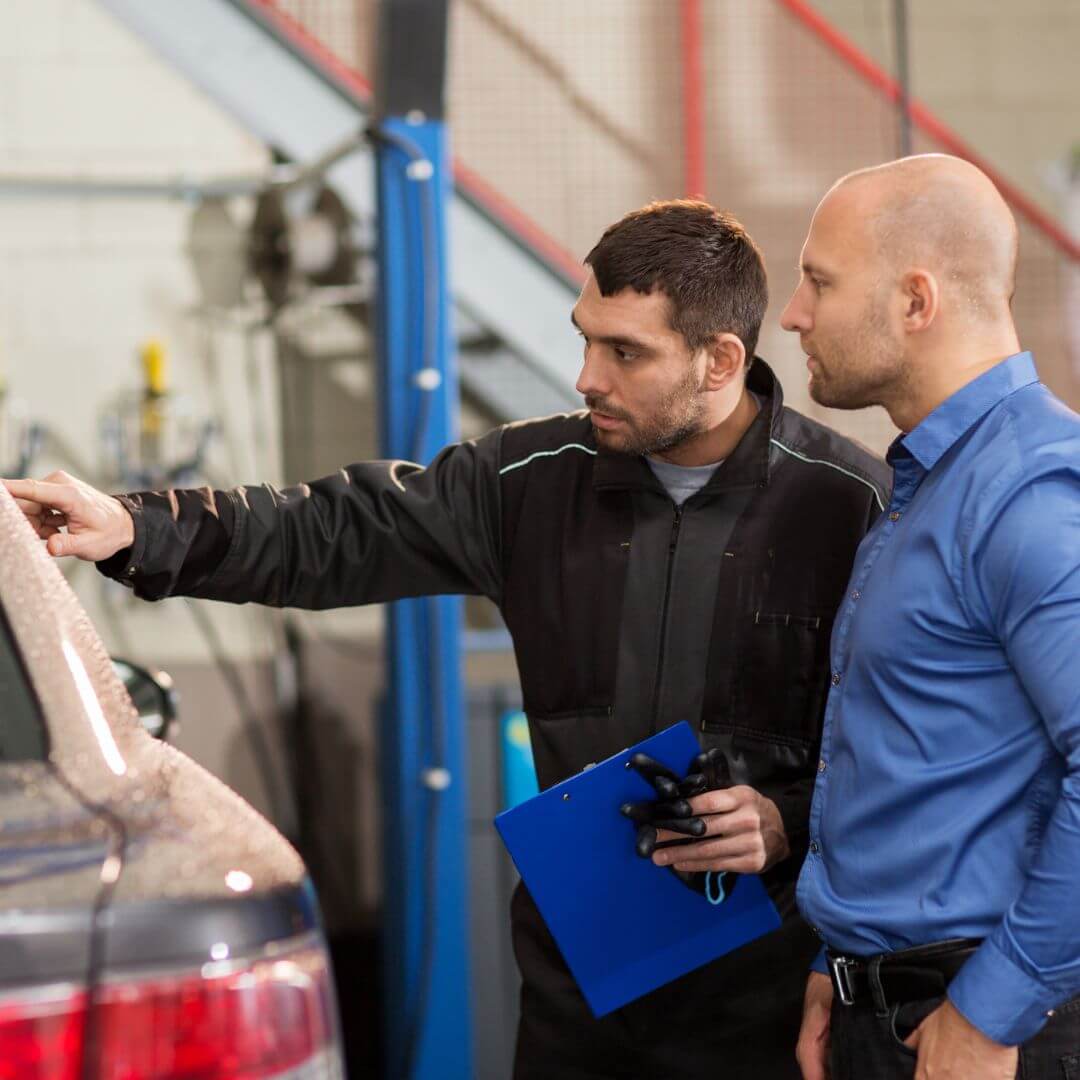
(940, 214)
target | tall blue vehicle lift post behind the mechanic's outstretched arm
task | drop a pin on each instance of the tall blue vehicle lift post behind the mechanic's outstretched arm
(426, 952)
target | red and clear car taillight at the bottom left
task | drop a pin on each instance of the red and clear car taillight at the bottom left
(250, 1021)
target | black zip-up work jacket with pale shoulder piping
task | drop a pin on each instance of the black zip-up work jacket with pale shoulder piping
(628, 614)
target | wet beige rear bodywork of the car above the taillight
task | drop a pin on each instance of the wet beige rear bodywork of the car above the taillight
(180, 840)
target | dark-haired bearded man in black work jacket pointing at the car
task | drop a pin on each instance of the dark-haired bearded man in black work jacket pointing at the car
(644, 583)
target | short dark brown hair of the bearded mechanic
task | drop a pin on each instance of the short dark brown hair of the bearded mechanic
(700, 258)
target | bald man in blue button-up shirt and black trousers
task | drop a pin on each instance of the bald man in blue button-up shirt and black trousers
(944, 866)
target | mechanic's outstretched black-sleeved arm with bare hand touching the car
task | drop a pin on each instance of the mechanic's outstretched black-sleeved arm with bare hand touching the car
(373, 532)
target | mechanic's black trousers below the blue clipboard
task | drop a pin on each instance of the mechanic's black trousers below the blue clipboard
(737, 1018)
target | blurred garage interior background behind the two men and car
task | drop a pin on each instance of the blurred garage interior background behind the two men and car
(209, 209)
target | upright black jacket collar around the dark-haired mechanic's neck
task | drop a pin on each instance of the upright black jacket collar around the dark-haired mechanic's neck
(747, 467)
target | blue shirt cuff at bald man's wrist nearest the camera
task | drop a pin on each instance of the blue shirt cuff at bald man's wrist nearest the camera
(1006, 1004)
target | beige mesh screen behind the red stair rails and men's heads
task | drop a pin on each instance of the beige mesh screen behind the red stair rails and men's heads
(572, 110)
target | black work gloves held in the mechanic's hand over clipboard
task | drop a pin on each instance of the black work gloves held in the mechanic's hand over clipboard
(709, 772)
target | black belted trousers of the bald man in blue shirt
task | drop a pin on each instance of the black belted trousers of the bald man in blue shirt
(865, 1045)
